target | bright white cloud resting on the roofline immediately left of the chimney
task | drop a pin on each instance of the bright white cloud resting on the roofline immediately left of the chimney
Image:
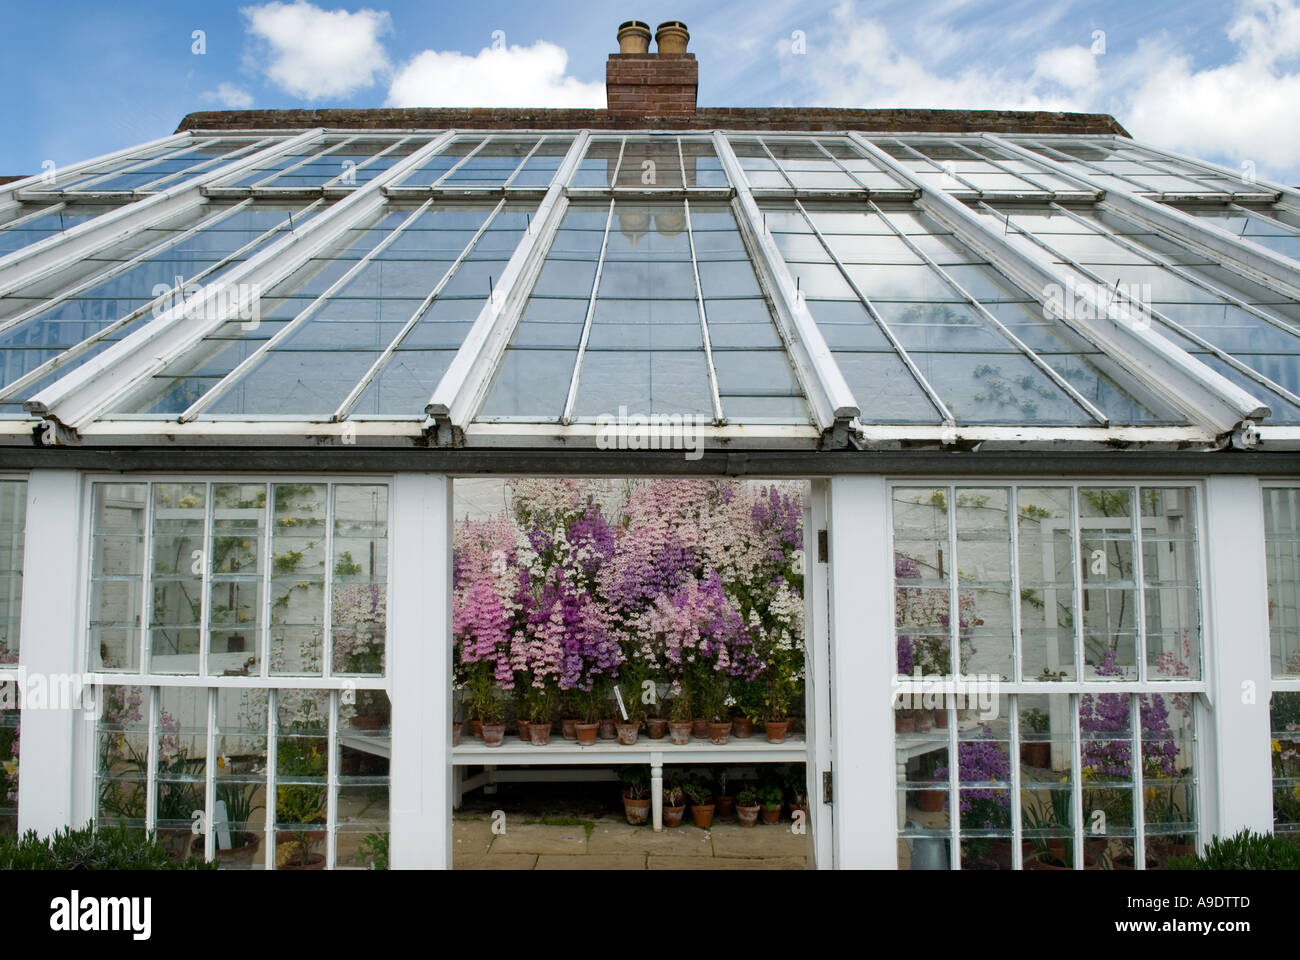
(495, 77)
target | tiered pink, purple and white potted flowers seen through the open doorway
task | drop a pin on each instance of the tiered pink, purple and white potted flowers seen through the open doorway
(691, 587)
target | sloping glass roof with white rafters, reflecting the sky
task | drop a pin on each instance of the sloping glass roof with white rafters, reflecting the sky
(775, 282)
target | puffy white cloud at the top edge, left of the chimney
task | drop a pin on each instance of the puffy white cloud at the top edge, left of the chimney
(315, 54)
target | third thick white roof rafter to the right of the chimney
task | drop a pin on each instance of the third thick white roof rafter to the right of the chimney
(1253, 261)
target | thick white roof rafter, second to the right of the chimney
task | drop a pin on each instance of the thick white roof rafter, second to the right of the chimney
(1190, 386)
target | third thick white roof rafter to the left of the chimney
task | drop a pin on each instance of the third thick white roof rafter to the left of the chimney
(47, 257)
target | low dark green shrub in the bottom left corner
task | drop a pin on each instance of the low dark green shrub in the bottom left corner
(115, 849)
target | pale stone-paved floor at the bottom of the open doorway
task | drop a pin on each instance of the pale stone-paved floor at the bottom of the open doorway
(613, 845)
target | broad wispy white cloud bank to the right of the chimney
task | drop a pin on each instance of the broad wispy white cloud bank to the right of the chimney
(1234, 111)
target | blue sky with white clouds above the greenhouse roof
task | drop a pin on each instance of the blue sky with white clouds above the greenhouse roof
(1216, 80)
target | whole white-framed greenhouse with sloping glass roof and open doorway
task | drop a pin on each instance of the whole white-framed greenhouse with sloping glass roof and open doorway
(911, 473)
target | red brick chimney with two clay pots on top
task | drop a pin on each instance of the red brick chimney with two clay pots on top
(639, 84)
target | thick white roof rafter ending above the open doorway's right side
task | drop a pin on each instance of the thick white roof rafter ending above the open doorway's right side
(827, 392)
